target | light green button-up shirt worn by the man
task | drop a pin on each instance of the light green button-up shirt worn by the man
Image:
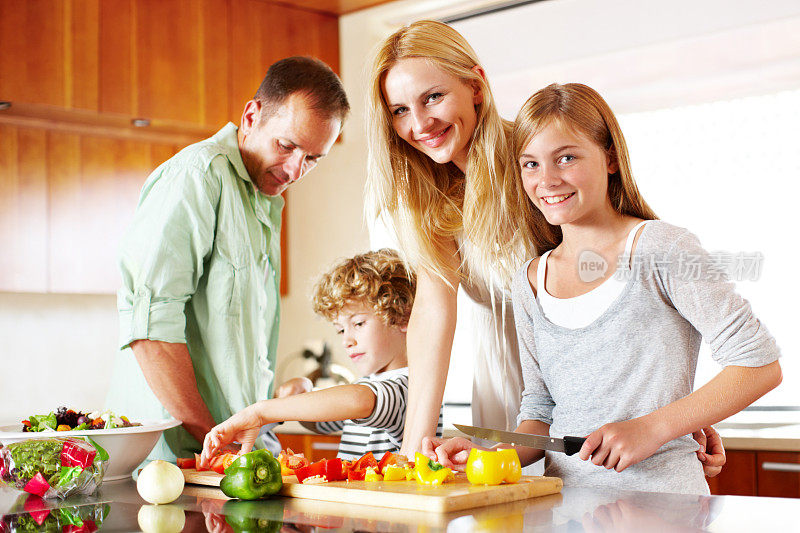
(201, 266)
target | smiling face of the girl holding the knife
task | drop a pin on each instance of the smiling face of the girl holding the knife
(565, 175)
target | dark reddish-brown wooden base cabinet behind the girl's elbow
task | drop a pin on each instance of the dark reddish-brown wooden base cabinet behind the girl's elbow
(757, 473)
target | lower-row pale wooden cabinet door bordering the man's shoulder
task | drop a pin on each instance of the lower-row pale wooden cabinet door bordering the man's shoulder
(94, 185)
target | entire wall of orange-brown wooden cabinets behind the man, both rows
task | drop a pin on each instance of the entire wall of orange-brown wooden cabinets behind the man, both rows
(77, 72)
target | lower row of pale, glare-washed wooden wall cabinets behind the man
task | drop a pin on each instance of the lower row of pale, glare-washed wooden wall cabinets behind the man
(66, 200)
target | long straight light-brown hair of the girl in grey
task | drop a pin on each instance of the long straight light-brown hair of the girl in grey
(582, 109)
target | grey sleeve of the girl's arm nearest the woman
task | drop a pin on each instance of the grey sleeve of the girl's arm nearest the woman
(536, 403)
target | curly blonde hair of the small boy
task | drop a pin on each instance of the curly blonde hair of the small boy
(378, 279)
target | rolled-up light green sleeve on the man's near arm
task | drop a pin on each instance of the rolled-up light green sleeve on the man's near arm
(163, 253)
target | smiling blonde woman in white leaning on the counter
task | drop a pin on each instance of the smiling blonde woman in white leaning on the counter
(440, 177)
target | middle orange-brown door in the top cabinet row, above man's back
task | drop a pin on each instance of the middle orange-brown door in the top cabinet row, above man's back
(165, 61)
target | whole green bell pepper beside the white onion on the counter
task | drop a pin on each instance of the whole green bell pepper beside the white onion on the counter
(252, 476)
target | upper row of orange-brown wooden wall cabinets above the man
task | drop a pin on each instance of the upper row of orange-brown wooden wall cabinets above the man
(193, 62)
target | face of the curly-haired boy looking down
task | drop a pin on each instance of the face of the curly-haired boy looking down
(370, 343)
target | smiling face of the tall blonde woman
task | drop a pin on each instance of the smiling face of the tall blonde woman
(431, 110)
